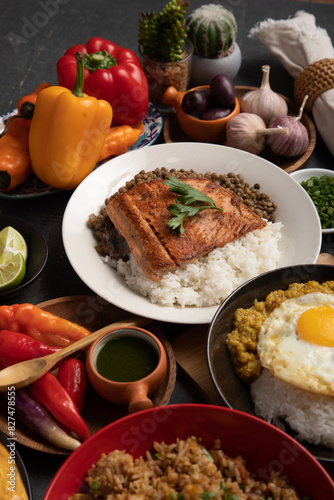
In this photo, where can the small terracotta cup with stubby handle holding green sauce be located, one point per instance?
(133, 393)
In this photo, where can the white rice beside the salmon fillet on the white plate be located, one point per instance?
(210, 279)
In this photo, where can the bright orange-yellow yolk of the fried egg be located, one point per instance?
(316, 325)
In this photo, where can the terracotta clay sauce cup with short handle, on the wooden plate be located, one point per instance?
(132, 393)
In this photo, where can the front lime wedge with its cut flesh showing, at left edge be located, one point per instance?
(12, 270)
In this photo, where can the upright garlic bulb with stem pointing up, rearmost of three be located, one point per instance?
(264, 101)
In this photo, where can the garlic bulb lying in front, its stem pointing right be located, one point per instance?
(248, 132)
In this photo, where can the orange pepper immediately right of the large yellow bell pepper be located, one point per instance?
(120, 139)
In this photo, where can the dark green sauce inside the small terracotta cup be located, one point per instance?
(126, 359)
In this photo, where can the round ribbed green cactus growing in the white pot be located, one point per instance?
(212, 30)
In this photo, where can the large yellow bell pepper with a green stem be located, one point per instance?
(67, 133)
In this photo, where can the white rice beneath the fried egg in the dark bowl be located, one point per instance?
(310, 415)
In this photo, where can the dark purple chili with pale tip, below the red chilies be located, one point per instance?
(38, 420)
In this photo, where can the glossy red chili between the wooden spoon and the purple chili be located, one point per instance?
(48, 392)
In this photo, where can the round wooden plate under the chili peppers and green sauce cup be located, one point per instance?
(93, 313)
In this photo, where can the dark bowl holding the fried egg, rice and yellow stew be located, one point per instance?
(234, 393)
